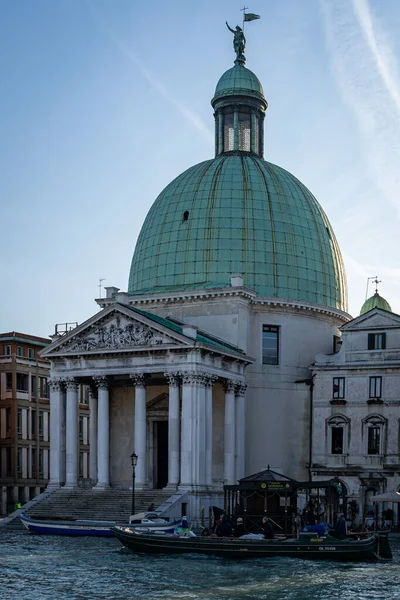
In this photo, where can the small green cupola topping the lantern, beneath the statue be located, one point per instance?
(238, 81)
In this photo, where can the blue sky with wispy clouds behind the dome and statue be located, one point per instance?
(104, 102)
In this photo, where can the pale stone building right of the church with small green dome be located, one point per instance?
(356, 409)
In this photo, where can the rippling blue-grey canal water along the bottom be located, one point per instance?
(57, 568)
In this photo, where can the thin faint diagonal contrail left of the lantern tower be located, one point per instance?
(190, 116)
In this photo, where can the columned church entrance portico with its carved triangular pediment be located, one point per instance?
(139, 366)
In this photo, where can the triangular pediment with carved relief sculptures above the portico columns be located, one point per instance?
(116, 328)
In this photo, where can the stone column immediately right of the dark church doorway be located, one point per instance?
(173, 429)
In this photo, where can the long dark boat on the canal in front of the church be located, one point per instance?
(306, 546)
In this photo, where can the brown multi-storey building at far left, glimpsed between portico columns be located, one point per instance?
(25, 419)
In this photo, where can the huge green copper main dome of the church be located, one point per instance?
(240, 214)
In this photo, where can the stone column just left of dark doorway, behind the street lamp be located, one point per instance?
(139, 381)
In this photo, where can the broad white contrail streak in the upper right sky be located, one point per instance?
(366, 73)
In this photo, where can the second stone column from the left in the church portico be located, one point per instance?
(71, 447)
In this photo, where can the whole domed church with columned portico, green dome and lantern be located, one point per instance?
(202, 366)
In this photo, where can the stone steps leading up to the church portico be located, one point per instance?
(103, 505)
